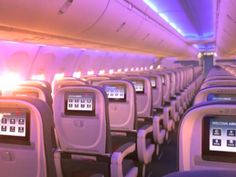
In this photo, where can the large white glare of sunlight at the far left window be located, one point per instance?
(9, 81)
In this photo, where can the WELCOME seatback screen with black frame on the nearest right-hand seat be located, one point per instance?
(219, 139)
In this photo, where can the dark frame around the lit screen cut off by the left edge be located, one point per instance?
(8, 139)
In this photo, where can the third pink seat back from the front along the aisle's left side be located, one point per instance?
(143, 89)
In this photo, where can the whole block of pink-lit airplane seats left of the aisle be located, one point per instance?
(111, 125)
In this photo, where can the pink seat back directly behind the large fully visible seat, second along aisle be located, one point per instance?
(122, 104)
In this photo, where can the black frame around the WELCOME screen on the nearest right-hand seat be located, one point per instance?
(209, 155)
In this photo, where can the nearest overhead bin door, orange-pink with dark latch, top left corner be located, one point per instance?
(53, 17)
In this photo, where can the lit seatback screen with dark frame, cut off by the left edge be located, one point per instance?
(14, 126)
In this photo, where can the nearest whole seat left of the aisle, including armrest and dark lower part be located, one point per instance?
(83, 132)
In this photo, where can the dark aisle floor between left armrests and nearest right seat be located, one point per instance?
(166, 162)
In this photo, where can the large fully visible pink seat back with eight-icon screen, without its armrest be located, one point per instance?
(81, 119)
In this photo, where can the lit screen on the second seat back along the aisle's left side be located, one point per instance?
(116, 92)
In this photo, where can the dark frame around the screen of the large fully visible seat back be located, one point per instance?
(81, 112)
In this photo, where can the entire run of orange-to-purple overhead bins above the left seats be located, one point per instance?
(109, 24)
